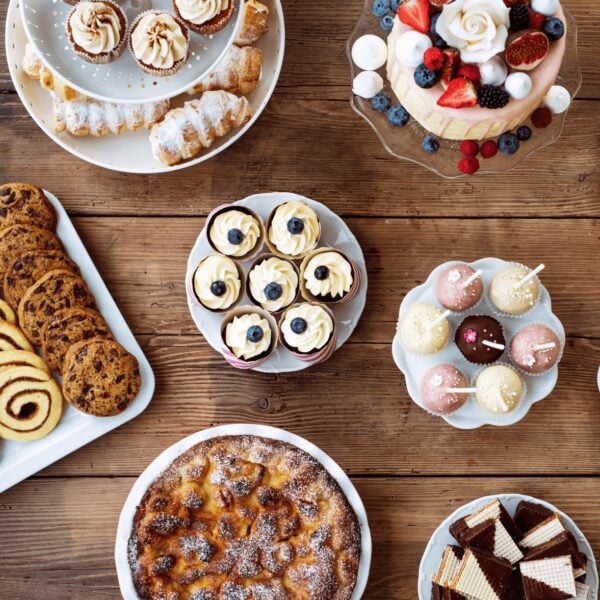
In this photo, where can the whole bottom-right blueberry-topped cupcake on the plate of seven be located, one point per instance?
(308, 331)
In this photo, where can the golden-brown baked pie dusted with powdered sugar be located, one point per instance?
(244, 518)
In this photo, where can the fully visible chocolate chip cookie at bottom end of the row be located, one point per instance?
(100, 377)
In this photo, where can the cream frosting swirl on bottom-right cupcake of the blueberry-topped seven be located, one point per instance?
(319, 327)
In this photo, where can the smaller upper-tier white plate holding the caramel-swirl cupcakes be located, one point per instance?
(121, 80)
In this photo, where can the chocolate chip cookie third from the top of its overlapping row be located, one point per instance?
(27, 268)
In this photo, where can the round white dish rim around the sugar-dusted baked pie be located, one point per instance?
(158, 465)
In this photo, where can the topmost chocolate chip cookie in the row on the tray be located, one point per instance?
(25, 204)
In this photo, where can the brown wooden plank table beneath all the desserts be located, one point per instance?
(57, 529)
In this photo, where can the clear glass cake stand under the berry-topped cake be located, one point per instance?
(405, 142)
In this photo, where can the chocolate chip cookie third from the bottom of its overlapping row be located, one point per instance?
(56, 290)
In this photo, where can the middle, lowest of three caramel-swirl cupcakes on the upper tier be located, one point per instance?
(159, 43)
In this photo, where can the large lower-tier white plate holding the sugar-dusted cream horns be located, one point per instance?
(131, 152)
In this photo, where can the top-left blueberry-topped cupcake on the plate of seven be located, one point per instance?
(235, 231)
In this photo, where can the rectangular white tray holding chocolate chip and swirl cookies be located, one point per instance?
(19, 460)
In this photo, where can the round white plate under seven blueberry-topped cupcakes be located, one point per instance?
(334, 233)
